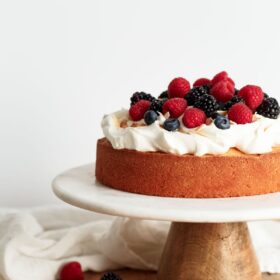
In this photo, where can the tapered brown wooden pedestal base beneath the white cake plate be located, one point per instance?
(206, 251)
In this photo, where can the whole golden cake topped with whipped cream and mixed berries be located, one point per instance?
(206, 141)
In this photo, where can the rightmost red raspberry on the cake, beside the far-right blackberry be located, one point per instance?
(252, 95)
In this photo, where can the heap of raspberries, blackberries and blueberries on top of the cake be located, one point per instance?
(209, 100)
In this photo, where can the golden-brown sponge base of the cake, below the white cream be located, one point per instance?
(232, 174)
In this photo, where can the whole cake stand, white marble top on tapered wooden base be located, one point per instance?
(208, 238)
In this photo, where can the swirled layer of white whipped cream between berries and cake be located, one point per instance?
(258, 137)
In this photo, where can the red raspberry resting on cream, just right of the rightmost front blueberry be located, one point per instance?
(240, 113)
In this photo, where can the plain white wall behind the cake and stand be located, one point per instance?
(63, 64)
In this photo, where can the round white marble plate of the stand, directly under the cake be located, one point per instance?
(78, 187)
